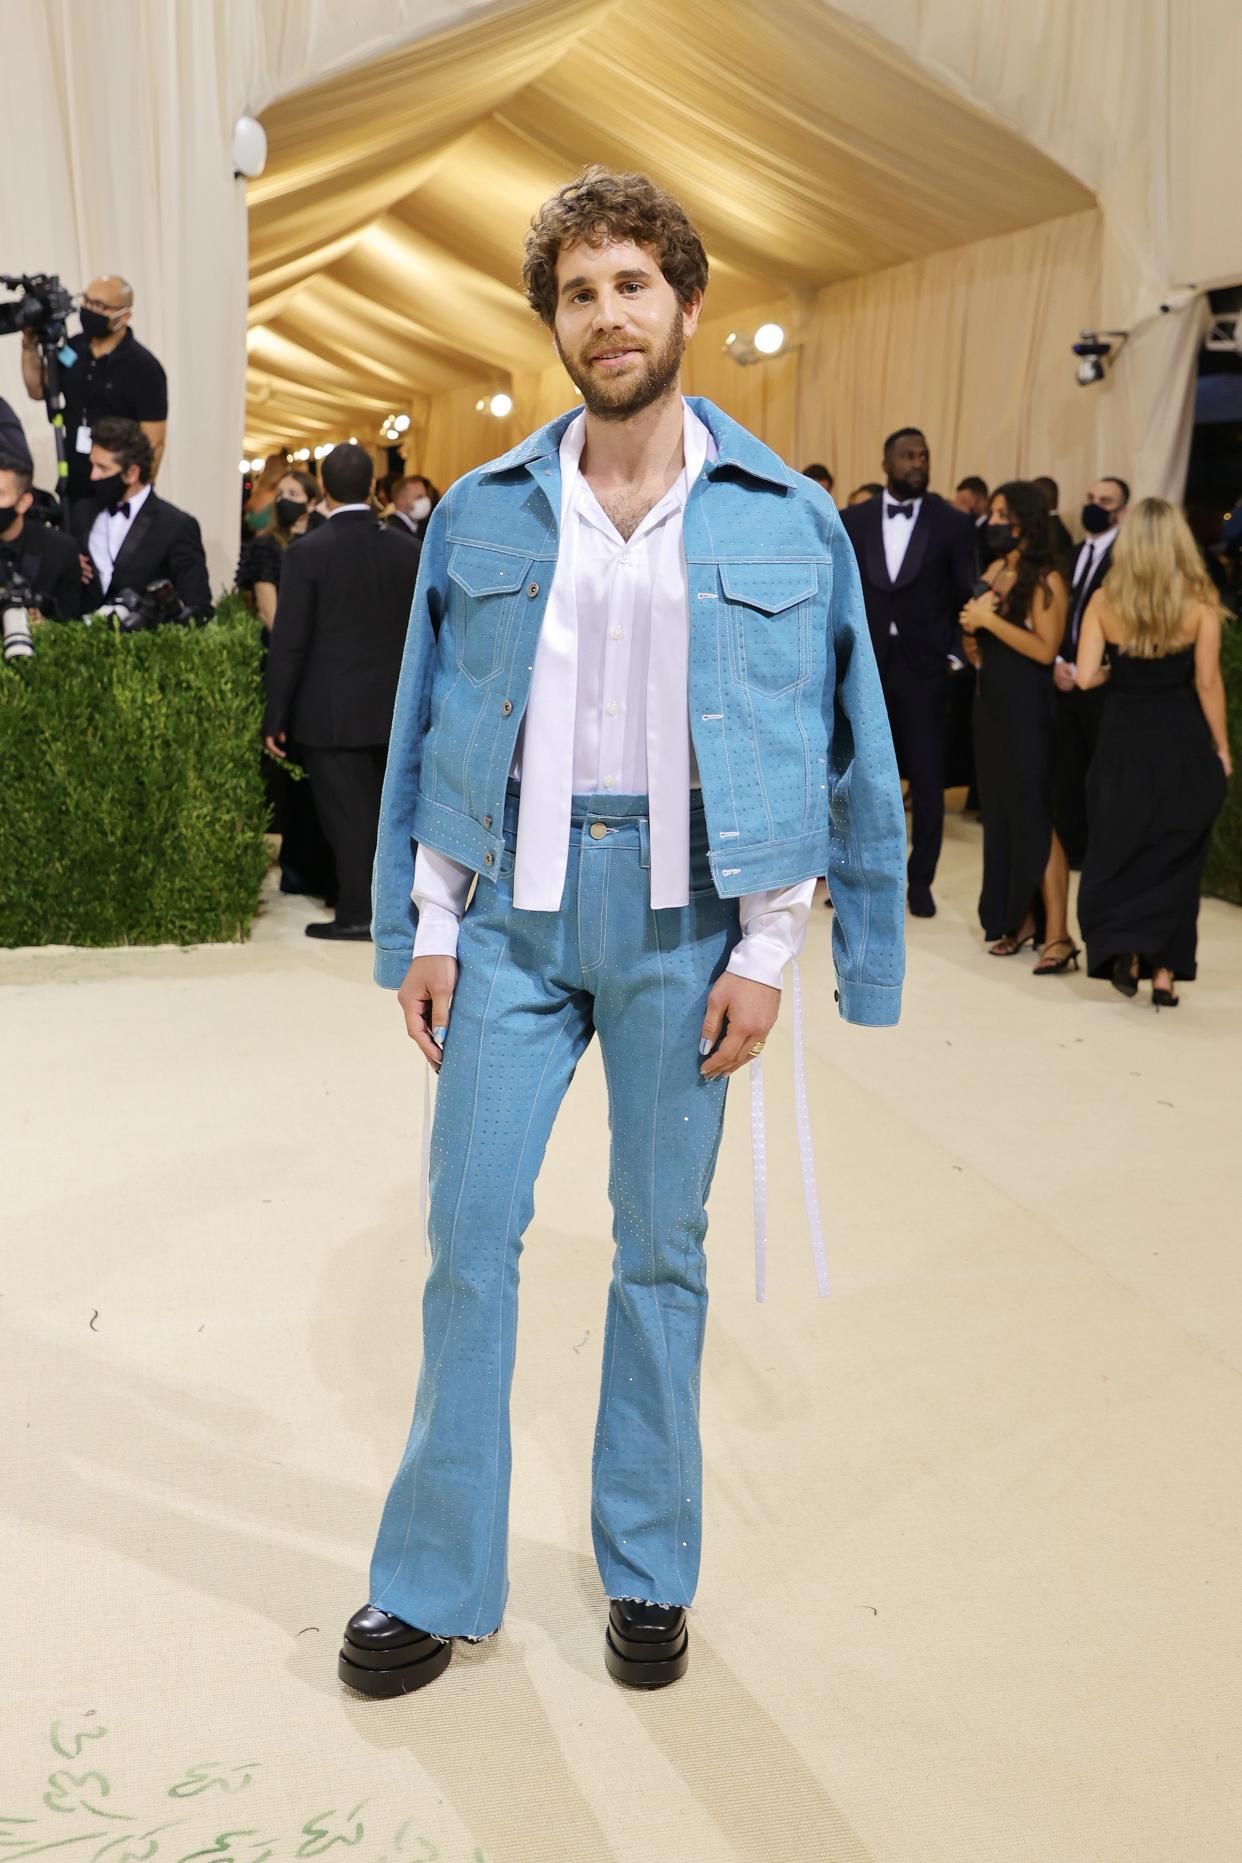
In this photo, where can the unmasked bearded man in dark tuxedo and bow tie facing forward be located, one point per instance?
(917, 564)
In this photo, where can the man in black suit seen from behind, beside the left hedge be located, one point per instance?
(332, 672)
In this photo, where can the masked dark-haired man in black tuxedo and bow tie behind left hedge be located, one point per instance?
(129, 537)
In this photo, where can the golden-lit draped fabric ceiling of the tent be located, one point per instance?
(386, 234)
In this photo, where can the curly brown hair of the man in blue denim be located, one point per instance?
(601, 208)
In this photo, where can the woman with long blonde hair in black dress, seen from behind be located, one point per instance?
(1161, 765)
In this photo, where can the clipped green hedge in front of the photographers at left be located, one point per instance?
(131, 798)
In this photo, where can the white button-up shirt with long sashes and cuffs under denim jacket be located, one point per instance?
(610, 714)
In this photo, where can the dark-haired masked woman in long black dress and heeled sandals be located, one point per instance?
(1012, 634)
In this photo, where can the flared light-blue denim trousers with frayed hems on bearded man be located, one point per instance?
(532, 992)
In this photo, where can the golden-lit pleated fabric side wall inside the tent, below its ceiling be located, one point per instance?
(973, 346)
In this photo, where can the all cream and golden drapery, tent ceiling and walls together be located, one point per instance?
(936, 193)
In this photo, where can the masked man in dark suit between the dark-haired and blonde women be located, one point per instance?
(1077, 716)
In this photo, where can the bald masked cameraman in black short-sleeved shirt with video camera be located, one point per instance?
(113, 375)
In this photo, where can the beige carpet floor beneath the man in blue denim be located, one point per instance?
(971, 1555)
